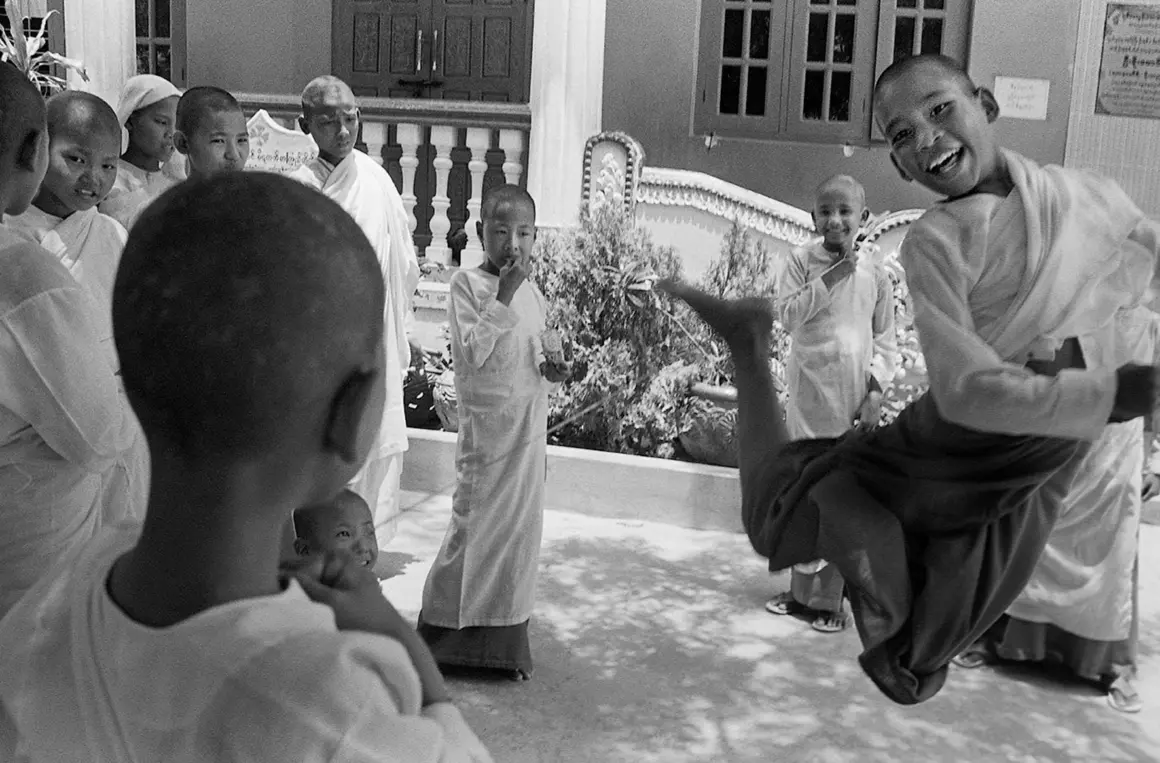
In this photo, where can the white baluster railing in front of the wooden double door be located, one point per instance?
(441, 154)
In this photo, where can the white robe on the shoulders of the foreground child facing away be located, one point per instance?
(267, 679)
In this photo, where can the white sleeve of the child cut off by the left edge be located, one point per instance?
(56, 377)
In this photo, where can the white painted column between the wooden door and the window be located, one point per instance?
(568, 89)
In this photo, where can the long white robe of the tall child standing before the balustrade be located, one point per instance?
(368, 194)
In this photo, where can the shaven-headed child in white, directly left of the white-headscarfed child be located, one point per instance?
(84, 144)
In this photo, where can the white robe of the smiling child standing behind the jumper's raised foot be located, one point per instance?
(839, 339)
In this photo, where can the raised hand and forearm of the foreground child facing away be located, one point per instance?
(353, 592)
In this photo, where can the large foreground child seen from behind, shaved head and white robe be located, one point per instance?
(180, 640)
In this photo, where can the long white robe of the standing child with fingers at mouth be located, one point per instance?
(485, 572)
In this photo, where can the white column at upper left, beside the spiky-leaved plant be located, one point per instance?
(103, 35)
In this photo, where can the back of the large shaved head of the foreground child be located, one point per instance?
(241, 302)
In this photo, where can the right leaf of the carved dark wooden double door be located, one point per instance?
(481, 50)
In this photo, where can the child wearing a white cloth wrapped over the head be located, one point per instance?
(148, 112)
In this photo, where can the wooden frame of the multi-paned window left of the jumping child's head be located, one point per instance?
(784, 121)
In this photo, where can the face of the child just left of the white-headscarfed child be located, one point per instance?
(83, 168)
